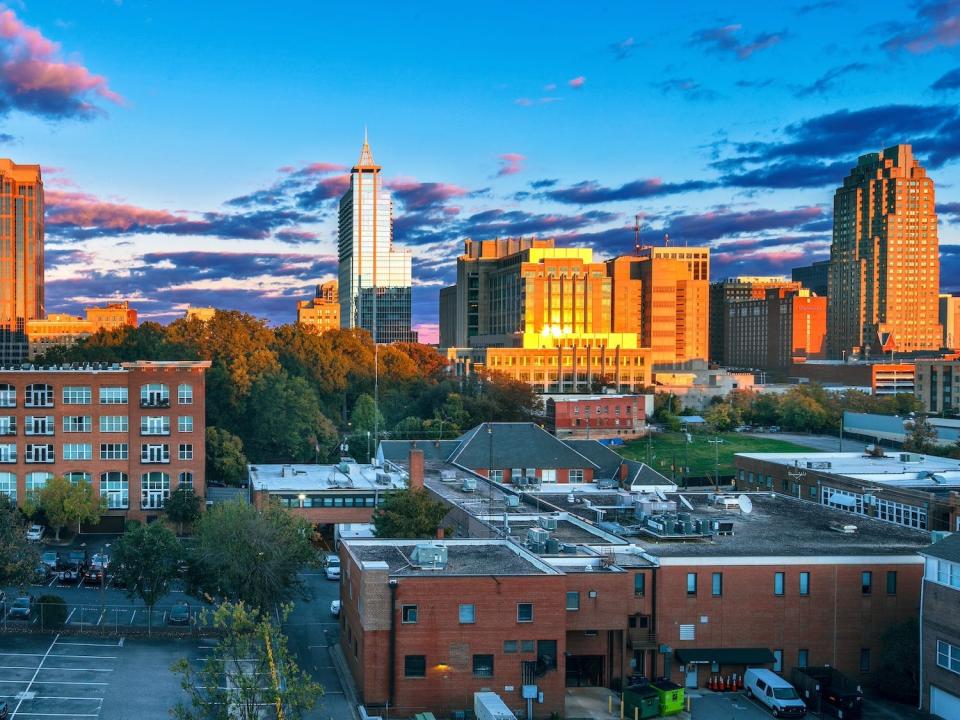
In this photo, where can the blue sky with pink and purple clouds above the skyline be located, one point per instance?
(193, 153)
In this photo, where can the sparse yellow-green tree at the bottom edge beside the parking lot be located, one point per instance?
(250, 668)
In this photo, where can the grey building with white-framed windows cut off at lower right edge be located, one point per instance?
(939, 630)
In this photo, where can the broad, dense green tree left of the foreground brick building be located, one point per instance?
(248, 554)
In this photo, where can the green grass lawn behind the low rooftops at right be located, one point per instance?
(665, 449)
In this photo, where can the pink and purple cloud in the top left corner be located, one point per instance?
(34, 80)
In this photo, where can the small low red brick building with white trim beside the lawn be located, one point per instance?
(598, 416)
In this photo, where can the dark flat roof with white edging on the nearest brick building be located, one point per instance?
(464, 557)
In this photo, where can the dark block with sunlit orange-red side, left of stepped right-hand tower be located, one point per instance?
(771, 333)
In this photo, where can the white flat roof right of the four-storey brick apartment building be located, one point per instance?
(323, 478)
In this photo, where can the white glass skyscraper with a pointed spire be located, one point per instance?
(375, 277)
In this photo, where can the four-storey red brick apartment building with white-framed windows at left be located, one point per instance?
(132, 430)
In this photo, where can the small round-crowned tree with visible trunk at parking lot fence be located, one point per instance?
(145, 562)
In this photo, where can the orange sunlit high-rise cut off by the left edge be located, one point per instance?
(21, 256)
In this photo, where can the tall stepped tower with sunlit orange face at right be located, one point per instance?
(884, 261)
